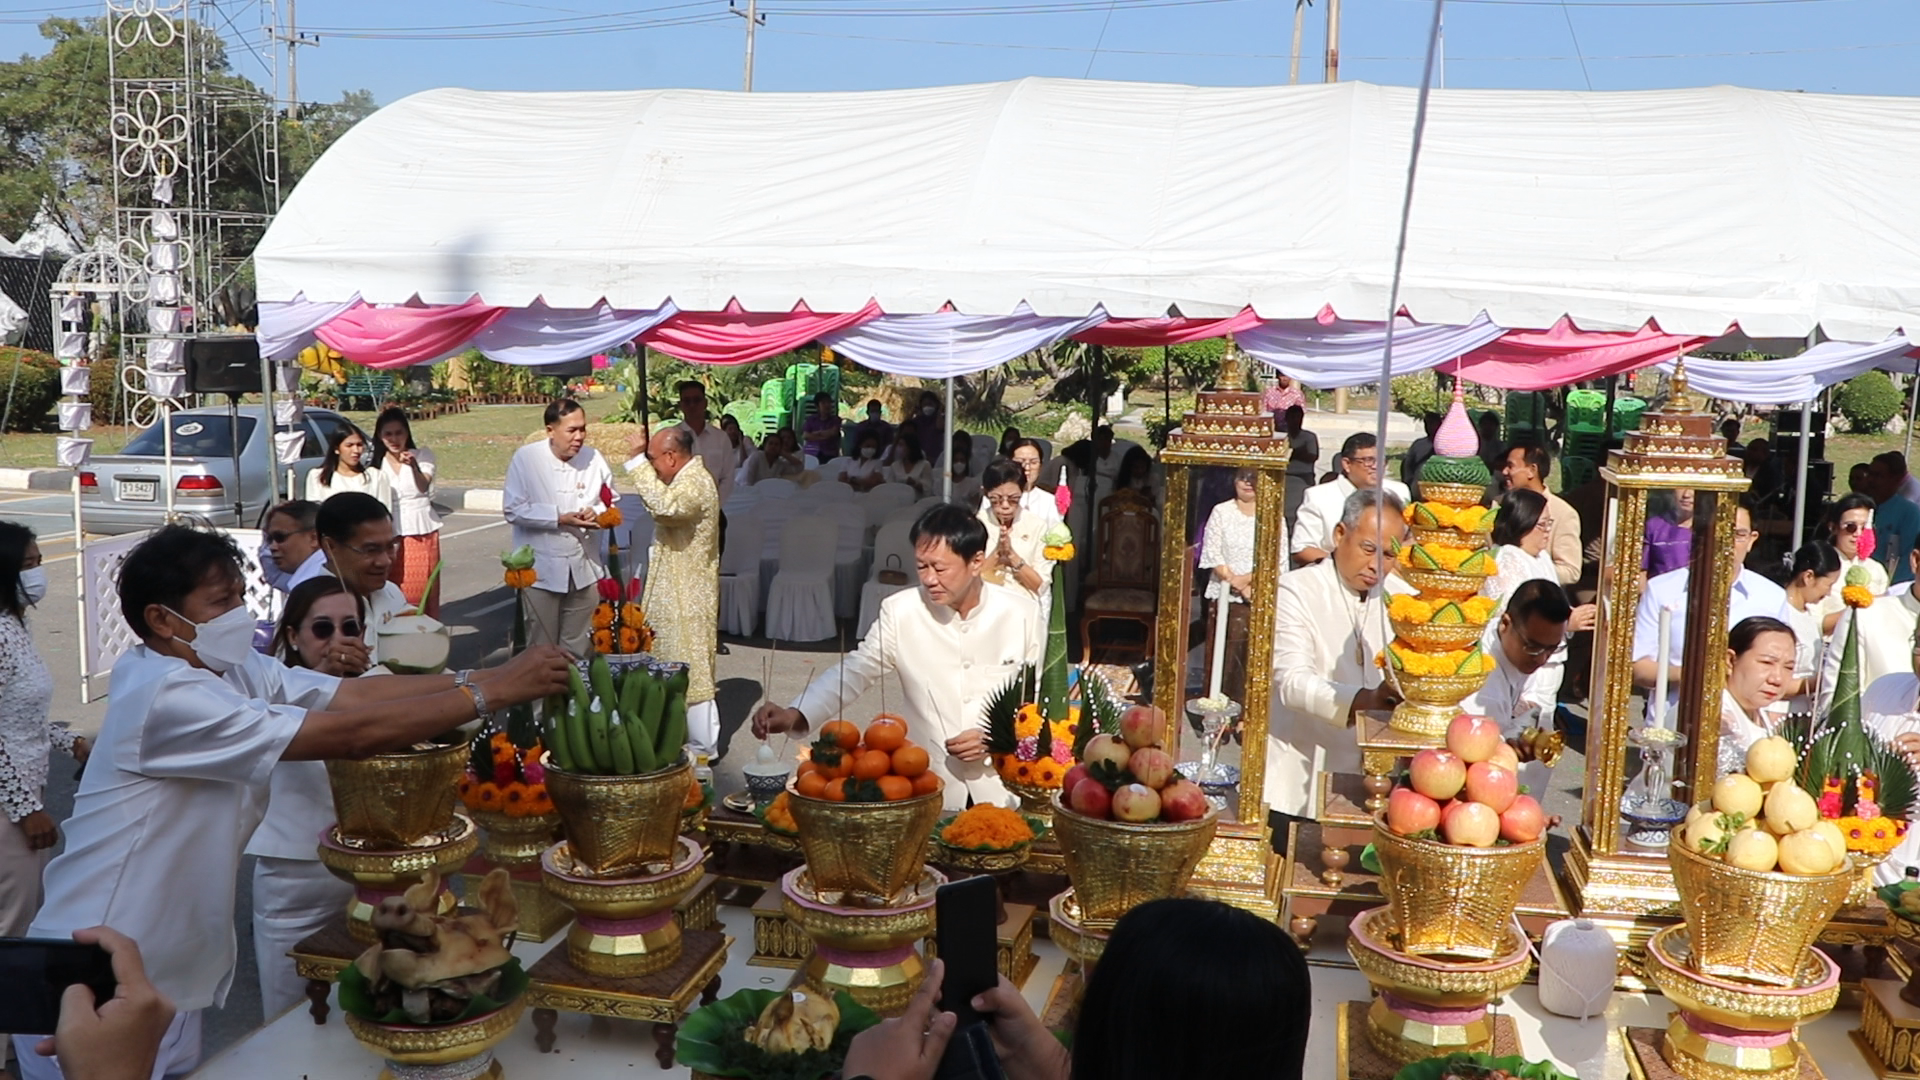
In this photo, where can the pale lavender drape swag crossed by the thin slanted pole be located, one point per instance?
(1347, 353)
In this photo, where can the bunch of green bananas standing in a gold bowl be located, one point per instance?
(619, 725)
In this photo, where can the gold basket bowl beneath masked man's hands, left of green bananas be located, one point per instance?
(398, 798)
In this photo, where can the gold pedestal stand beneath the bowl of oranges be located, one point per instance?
(869, 952)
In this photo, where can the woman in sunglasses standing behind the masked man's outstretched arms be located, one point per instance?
(293, 893)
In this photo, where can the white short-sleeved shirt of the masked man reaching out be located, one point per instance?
(172, 795)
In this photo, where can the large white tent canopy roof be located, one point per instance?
(1692, 209)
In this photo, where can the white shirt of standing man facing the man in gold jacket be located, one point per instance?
(539, 491)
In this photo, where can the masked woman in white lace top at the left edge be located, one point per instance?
(26, 735)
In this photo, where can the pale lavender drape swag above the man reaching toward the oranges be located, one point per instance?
(948, 343)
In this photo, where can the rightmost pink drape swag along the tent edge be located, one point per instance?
(1562, 356)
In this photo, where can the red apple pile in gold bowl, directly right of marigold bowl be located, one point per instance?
(1130, 777)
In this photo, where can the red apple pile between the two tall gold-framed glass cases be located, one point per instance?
(1468, 795)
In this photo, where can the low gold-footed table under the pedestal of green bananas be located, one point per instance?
(660, 998)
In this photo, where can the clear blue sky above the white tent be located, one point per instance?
(1865, 47)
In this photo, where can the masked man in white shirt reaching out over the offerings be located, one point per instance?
(193, 731)
